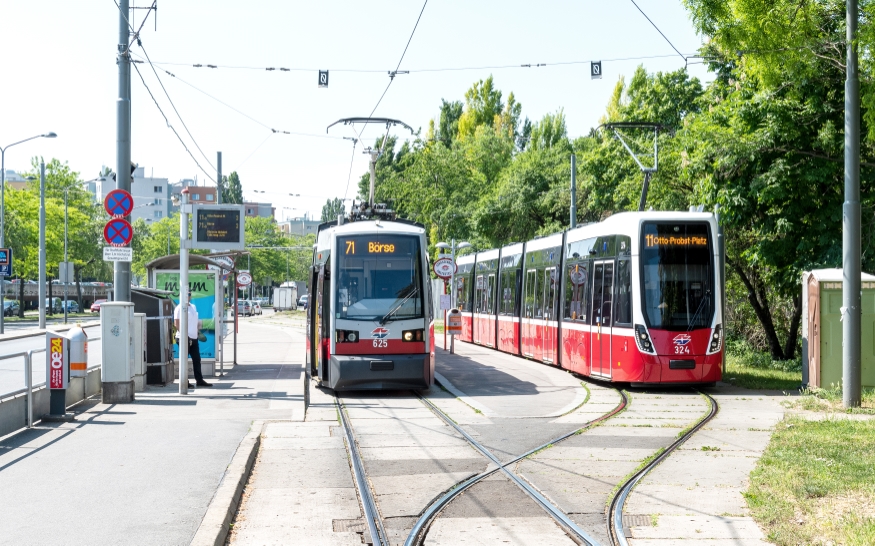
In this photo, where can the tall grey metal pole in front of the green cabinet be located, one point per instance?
(851, 247)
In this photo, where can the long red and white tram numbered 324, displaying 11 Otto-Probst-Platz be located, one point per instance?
(634, 299)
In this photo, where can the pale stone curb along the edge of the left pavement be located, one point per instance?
(214, 527)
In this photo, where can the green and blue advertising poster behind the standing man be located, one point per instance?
(203, 297)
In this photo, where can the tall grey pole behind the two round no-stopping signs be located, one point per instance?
(122, 270)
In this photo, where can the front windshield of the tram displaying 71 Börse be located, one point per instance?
(379, 277)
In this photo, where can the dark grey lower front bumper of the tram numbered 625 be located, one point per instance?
(380, 372)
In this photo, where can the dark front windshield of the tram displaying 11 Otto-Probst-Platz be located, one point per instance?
(678, 275)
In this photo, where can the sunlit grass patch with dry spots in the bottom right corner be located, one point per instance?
(815, 483)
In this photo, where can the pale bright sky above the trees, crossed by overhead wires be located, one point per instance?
(59, 74)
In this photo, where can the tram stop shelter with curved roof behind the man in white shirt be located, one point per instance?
(208, 297)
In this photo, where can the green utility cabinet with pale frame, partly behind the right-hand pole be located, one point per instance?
(822, 328)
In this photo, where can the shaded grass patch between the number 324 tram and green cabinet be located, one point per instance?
(751, 369)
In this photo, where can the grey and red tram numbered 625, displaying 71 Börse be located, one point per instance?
(369, 318)
